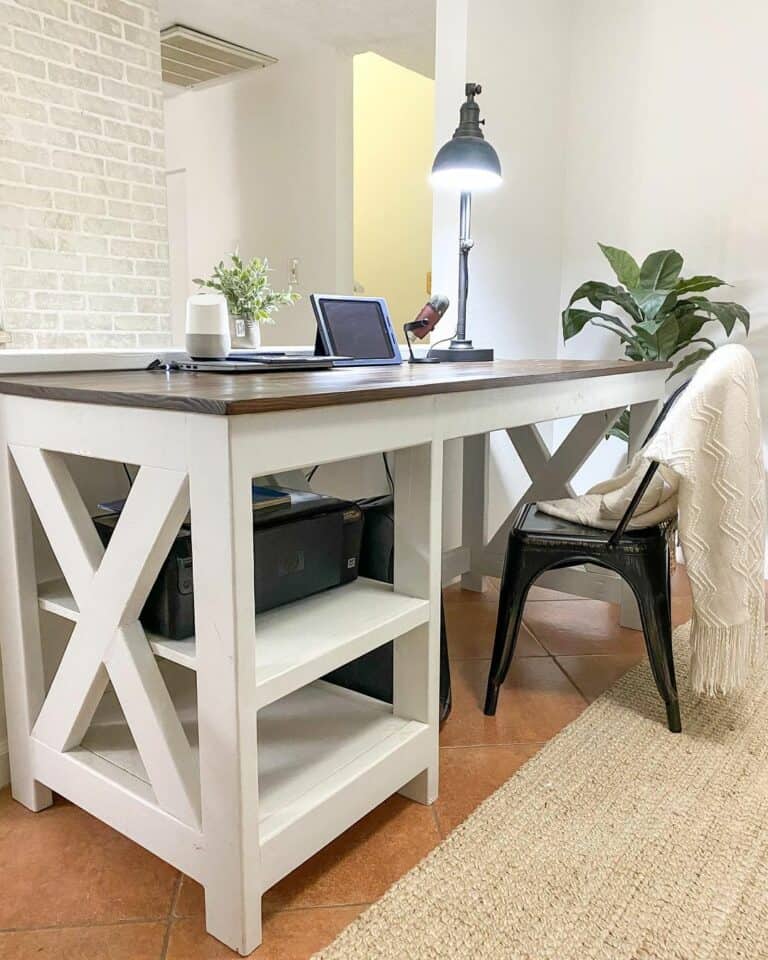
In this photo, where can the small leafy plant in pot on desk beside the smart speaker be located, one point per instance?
(250, 298)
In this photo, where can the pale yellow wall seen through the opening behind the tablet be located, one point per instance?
(393, 152)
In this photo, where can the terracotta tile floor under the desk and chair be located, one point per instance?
(72, 889)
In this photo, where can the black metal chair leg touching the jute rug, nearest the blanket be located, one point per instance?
(653, 598)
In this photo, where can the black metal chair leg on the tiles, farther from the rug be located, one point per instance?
(515, 584)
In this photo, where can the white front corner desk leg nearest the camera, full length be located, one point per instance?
(222, 544)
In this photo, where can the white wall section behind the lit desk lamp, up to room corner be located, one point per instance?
(518, 51)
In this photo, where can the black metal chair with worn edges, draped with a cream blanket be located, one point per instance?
(539, 542)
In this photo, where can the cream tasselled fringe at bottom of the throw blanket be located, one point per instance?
(722, 657)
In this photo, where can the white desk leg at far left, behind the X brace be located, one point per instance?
(20, 639)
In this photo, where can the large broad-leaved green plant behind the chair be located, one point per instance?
(662, 313)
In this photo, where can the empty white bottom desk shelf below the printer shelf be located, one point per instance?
(313, 745)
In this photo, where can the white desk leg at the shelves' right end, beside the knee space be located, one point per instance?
(418, 567)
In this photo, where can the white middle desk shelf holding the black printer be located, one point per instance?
(299, 642)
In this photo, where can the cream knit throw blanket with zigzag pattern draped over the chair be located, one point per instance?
(711, 475)
